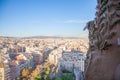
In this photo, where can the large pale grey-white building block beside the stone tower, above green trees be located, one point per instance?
(71, 60)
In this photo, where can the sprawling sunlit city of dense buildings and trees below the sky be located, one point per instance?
(34, 59)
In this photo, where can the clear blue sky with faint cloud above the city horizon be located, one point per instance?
(20, 18)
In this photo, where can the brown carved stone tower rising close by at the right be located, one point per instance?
(103, 58)
